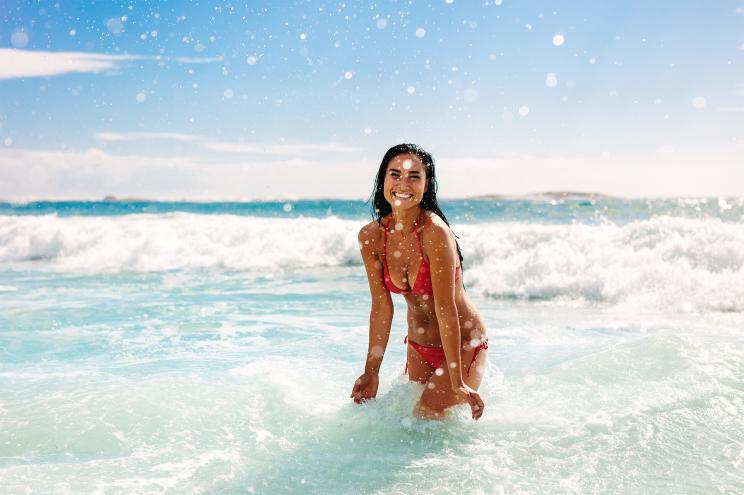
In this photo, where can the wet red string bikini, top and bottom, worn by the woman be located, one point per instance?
(434, 356)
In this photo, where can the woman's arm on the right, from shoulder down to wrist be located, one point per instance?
(442, 253)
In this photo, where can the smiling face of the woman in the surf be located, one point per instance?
(405, 181)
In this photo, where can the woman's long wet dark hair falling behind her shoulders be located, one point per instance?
(380, 205)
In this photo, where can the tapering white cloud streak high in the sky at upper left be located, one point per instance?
(30, 63)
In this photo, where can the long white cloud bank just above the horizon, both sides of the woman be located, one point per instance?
(27, 174)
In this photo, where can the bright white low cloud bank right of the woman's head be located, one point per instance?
(629, 176)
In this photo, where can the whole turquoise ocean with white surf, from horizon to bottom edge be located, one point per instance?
(150, 347)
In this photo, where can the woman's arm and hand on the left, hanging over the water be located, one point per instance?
(380, 316)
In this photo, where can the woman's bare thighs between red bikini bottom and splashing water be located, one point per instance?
(438, 394)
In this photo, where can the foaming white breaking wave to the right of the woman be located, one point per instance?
(665, 262)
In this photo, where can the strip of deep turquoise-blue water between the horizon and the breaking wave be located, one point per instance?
(462, 211)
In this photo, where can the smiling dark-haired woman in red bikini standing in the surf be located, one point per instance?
(410, 249)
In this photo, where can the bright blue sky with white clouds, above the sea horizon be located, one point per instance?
(214, 100)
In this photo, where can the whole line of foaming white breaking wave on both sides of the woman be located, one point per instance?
(666, 262)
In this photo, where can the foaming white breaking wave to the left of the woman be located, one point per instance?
(175, 241)
